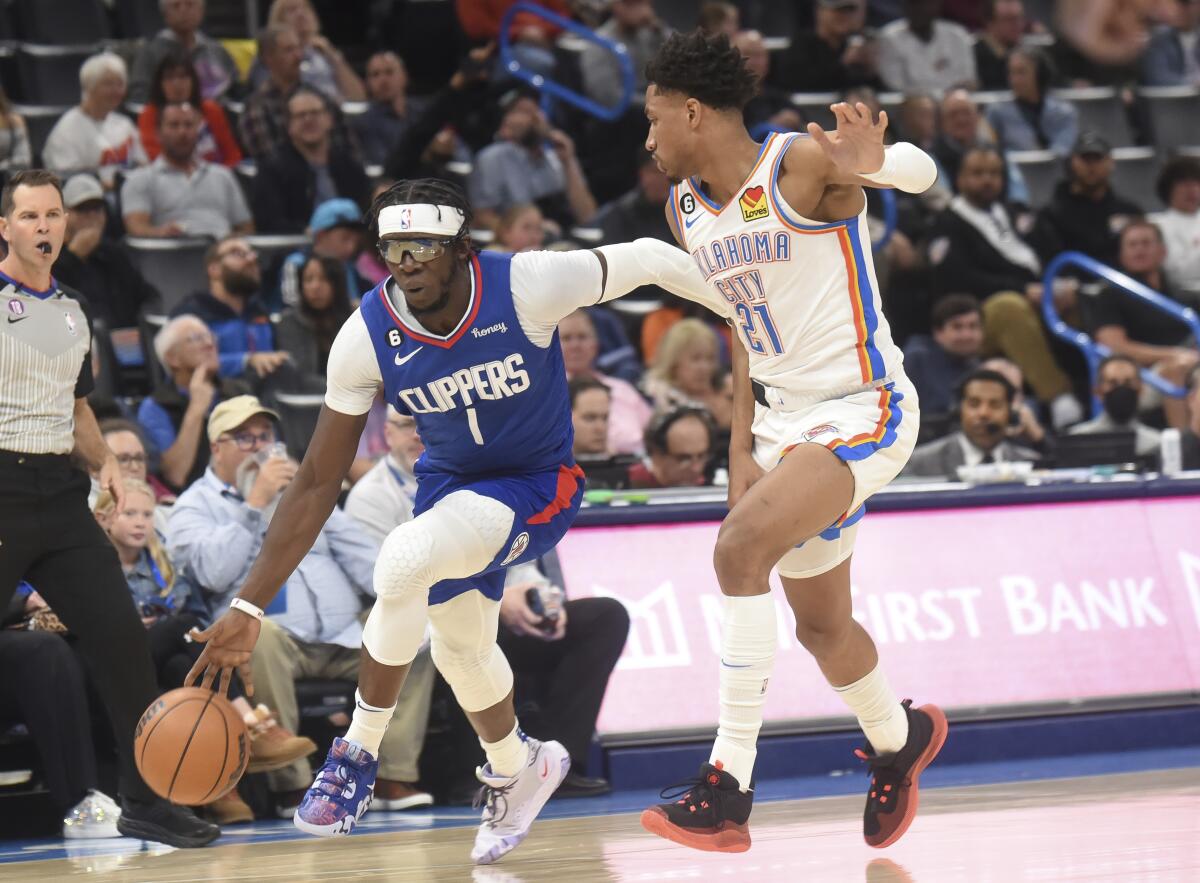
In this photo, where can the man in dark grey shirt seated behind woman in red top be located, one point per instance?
(214, 65)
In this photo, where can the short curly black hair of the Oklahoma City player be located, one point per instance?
(709, 69)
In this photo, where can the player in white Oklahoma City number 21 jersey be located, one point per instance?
(824, 416)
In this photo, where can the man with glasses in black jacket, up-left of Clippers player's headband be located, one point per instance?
(305, 171)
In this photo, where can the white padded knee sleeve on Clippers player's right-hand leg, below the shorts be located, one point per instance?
(464, 650)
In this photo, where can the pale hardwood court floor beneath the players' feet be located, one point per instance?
(1125, 827)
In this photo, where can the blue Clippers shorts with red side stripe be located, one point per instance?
(545, 506)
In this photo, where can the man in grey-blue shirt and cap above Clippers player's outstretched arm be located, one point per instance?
(530, 163)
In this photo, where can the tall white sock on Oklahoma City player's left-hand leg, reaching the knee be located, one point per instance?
(748, 653)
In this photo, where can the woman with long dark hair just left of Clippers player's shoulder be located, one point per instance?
(307, 332)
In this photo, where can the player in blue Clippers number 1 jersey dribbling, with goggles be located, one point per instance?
(469, 346)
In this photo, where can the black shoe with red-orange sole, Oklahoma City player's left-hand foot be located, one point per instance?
(711, 813)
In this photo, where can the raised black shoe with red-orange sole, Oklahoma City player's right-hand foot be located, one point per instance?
(892, 800)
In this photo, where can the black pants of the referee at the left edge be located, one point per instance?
(51, 539)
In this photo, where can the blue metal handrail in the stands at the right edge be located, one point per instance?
(1093, 351)
